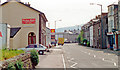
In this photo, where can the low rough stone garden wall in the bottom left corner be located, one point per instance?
(25, 58)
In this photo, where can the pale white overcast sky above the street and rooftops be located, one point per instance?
(70, 12)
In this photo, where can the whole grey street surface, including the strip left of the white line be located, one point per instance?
(76, 56)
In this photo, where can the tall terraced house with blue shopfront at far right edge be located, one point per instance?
(112, 26)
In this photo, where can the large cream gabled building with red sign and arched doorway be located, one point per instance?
(27, 24)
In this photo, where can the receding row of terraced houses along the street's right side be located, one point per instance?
(103, 31)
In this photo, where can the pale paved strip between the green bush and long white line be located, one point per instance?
(52, 59)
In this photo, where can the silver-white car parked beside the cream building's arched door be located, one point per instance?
(38, 47)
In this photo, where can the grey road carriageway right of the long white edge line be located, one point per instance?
(85, 57)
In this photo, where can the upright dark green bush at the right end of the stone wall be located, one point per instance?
(34, 58)
